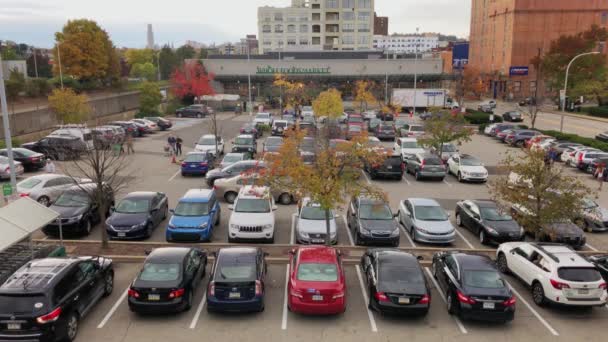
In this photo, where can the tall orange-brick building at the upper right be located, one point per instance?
(507, 34)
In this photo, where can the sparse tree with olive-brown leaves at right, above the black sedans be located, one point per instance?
(543, 195)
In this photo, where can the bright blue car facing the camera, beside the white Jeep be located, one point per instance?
(194, 217)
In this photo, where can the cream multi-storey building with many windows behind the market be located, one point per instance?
(317, 25)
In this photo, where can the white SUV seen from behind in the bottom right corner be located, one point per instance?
(554, 272)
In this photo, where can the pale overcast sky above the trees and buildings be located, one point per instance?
(207, 21)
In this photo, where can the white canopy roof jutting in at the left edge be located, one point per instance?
(21, 218)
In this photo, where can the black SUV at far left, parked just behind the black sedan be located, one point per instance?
(58, 147)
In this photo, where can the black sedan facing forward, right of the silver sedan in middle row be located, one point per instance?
(484, 218)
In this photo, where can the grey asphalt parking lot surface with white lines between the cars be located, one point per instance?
(152, 171)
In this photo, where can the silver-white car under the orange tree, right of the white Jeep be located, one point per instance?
(311, 227)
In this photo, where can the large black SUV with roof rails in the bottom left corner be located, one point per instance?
(46, 298)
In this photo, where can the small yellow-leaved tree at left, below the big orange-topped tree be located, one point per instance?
(69, 106)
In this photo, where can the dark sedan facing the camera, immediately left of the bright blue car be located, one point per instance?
(137, 215)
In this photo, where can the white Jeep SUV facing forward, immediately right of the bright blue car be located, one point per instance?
(252, 215)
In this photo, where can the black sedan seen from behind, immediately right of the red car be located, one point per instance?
(396, 283)
